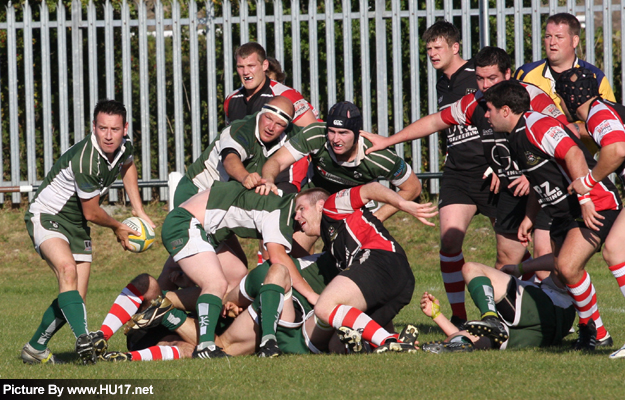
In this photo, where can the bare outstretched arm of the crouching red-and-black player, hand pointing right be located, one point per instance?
(378, 192)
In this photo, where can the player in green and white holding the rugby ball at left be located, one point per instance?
(68, 198)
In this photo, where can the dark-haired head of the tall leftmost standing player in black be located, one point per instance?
(442, 42)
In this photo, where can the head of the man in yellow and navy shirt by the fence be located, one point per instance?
(561, 38)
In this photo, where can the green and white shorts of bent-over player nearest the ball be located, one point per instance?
(183, 235)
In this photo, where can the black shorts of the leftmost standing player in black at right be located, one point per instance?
(468, 189)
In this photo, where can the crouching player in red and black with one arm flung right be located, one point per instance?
(375, 277)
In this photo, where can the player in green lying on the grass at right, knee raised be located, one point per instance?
(515, 313)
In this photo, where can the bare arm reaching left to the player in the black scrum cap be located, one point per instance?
(420, 128)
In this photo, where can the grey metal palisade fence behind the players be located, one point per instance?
(365, 50)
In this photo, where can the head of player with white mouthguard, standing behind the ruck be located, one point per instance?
(252, 63)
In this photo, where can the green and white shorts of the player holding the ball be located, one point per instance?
(42, 227)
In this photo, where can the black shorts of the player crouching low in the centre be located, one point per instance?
(385, 280)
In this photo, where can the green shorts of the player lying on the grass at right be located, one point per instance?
(538, 321)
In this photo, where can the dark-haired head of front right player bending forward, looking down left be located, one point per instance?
(505, 102)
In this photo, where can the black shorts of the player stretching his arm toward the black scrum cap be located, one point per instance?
(511, 212)
